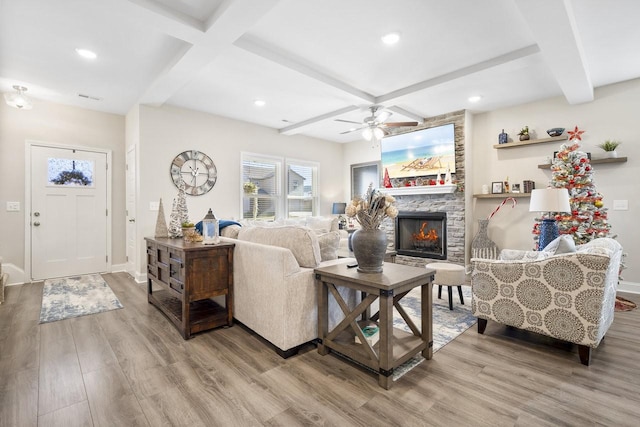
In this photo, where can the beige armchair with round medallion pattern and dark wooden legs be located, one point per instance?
(569, 296)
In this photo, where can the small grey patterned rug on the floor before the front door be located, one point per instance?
(76, 296)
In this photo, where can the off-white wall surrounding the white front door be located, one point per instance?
(59, 124)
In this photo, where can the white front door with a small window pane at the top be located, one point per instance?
(68, 212)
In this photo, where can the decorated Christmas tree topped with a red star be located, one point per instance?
(571, 169)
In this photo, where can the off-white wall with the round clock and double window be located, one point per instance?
(167, 131)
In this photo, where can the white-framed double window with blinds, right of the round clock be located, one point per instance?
(262, 180)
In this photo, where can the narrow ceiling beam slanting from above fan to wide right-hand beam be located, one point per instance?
(462, 72)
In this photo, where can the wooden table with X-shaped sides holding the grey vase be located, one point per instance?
(395, 346)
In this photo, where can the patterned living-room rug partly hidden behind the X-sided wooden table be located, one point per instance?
(447, 324)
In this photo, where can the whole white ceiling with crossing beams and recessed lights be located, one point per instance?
(316, 61)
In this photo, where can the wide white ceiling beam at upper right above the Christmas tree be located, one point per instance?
(554, 28)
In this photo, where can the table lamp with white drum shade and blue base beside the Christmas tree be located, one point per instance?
(549, 200)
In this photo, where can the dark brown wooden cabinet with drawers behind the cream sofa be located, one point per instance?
(182, 279)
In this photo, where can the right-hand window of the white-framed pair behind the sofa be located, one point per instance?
(302, 192)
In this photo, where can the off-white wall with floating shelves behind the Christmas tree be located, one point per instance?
(612, 115)
